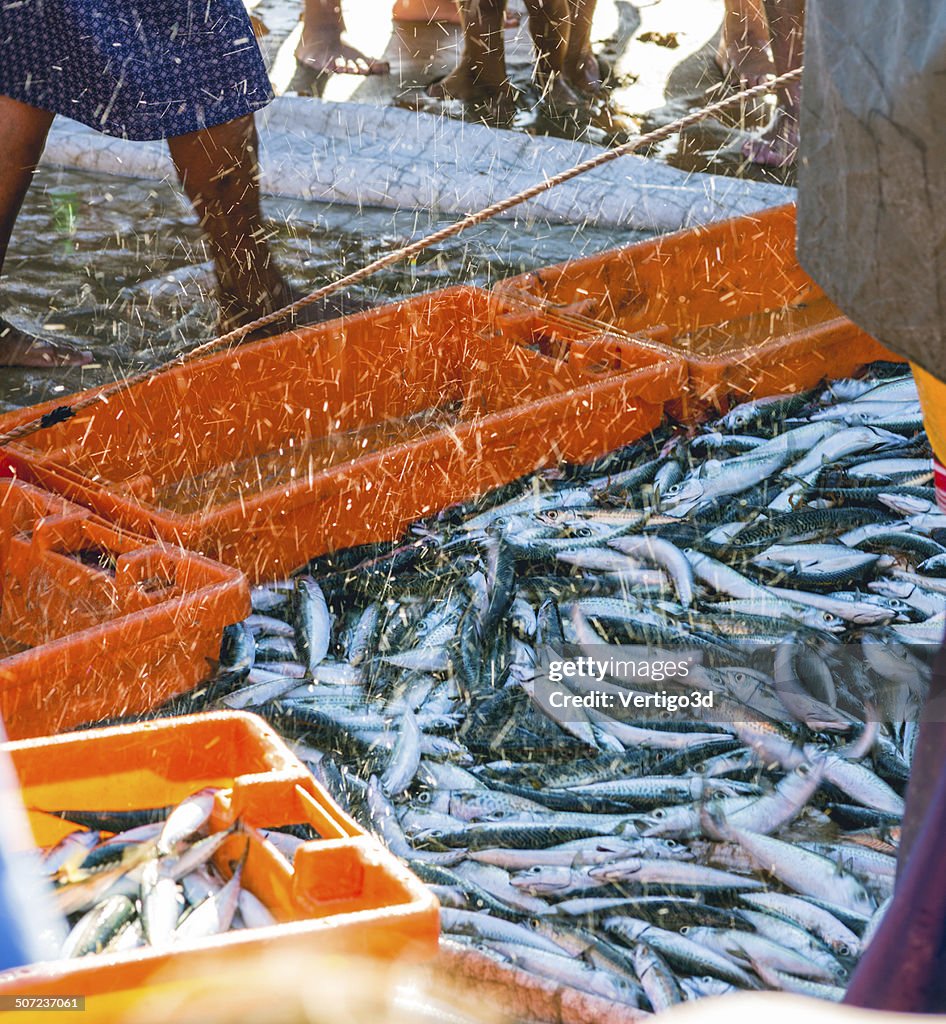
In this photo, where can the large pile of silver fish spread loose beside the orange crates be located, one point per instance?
(656, 861)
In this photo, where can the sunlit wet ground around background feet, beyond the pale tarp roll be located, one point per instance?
(662, 55)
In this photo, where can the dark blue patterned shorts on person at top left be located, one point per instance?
(137, 69)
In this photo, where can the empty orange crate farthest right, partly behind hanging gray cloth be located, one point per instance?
(730, 297)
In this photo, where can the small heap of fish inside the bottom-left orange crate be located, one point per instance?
(132, 879)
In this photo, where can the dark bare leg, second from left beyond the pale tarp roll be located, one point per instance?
(481, 76)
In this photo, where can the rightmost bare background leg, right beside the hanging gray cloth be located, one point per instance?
(779, 145)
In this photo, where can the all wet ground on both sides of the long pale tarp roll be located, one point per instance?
(110, 263)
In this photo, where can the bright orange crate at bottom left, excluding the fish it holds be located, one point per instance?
(343, 893)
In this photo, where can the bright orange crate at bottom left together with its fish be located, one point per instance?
(190, 843)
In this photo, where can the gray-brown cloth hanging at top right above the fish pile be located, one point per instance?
(873, 174)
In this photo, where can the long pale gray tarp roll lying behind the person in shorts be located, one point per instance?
(382, 156)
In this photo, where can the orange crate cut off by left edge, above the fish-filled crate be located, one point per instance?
(95, 623)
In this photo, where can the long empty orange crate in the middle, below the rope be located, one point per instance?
(342, 435)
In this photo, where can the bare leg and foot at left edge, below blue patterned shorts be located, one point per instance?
(23, 136)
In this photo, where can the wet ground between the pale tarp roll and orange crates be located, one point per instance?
(118, 266)
